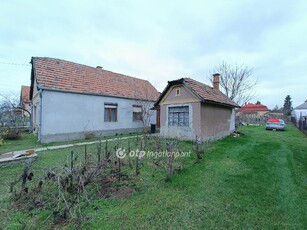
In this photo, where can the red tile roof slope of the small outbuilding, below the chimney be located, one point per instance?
(208, 93)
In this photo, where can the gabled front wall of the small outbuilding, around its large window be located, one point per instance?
(186, 98)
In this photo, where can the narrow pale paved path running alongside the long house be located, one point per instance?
(20, 154)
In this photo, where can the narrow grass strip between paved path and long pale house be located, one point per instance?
(29, 141)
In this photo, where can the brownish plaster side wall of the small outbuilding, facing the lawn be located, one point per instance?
(216, 121)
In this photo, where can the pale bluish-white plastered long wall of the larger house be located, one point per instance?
(69, 116)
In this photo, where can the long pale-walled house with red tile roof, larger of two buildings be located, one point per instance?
(73, 101)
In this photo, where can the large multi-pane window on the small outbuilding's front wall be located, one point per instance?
(178, 116)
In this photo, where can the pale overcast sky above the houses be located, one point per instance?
(161, 40)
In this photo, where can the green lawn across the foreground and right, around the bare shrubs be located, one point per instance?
(256, 181)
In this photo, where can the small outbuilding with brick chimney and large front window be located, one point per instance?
(190, 109)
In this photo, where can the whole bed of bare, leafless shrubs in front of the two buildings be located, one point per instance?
(67, 189)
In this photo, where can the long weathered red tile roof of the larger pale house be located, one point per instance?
(56, 74)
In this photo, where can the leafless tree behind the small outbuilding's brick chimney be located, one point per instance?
(236, 82)
